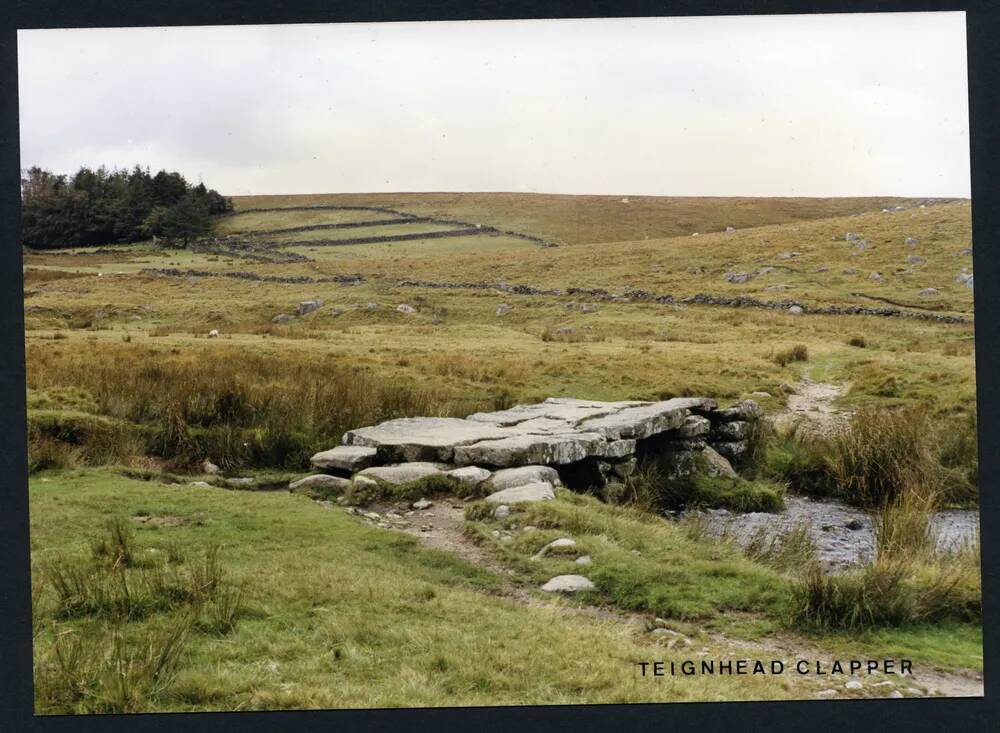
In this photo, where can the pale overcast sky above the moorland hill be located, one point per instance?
(822, 105)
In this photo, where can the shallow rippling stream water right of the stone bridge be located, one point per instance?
(842, 534)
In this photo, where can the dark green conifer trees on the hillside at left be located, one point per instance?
(95, 207)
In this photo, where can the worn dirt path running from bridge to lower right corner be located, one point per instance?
(441, 526)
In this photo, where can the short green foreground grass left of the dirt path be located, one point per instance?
(340, 614)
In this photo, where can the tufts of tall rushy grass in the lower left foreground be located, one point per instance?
(95, 659)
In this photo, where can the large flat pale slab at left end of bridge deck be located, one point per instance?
(422, 438)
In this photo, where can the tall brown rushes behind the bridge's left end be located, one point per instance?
(237, 409)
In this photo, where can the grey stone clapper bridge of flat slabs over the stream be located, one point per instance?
(520, 454)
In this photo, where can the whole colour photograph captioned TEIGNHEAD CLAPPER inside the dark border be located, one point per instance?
(481, 363)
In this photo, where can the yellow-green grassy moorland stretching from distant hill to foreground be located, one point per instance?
(122, 377)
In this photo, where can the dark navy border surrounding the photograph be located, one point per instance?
(970, 714)
